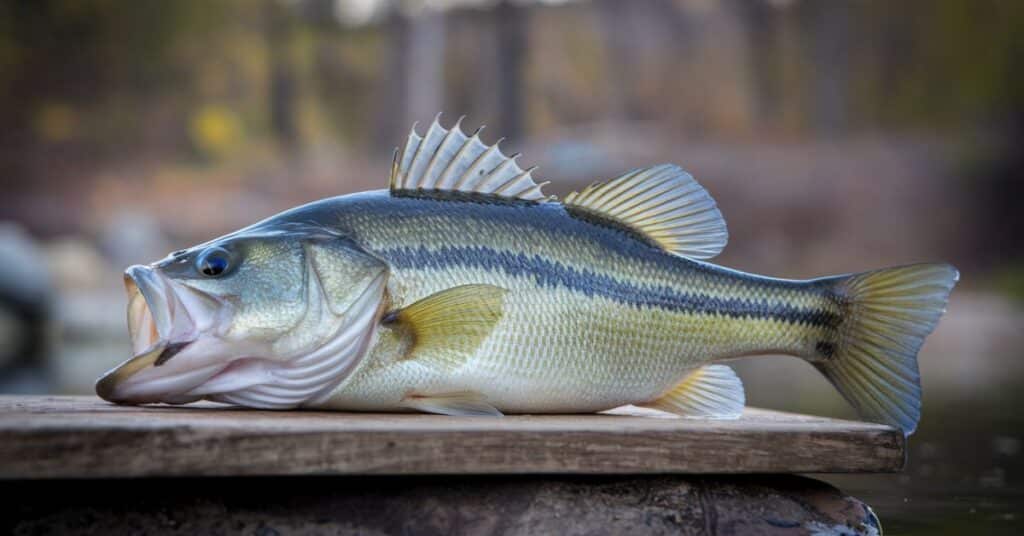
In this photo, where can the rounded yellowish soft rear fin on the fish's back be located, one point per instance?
(662, 203)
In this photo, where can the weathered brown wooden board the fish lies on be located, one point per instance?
(83, 437)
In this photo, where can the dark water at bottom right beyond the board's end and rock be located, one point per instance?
(965, 474)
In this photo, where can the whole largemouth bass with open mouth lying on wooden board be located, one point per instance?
(462, 290)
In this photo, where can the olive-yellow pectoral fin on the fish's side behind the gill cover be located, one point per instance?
(448, 327)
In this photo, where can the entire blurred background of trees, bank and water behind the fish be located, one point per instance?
(836, 137)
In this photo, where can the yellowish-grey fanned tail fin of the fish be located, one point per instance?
(887, 314)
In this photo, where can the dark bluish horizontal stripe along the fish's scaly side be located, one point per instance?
(552, 274)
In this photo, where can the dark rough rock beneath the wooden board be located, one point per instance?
(528, 506)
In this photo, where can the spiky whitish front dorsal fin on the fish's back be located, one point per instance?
(444, 162)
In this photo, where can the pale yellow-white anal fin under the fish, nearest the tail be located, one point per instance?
(713, 392)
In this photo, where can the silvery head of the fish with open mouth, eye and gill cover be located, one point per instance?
(265, 319)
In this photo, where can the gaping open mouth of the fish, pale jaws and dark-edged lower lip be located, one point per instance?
(160, 327)
